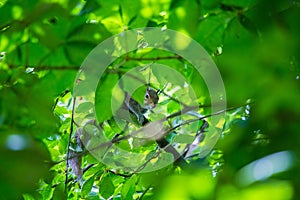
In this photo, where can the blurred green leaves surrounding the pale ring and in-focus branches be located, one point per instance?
(255, 45)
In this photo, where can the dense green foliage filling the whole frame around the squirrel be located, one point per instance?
(255, 45)
